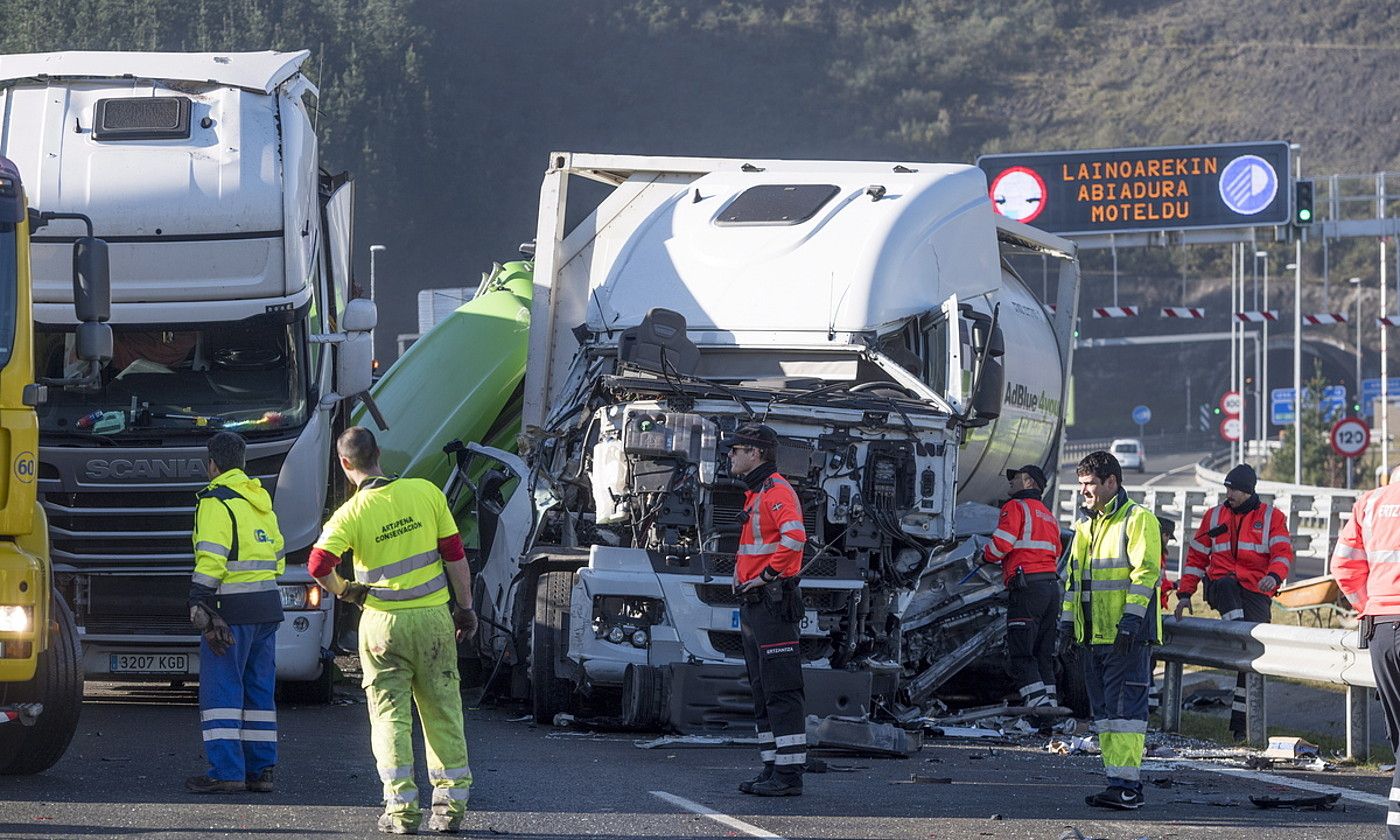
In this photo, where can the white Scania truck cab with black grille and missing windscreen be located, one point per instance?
(230, 253)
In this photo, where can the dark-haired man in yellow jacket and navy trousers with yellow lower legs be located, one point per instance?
(1111, 607)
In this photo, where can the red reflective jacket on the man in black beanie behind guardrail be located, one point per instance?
(1251, 547)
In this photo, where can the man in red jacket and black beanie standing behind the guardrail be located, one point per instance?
(1244, 552)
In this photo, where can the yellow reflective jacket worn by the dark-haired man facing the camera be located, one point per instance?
(1115, 569)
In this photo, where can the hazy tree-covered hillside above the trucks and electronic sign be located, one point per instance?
(446, 110)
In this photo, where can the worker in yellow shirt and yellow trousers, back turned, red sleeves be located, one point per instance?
(407, 549)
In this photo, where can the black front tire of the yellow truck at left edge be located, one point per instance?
(58, 685)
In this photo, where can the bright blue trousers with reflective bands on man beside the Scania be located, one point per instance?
(236, 703)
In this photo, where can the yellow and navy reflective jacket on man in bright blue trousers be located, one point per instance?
(239, 549)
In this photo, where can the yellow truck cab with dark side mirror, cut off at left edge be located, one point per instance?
(41, 663)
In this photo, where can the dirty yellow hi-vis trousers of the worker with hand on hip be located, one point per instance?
(411, 654)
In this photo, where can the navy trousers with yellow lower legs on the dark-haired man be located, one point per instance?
(1118, 698)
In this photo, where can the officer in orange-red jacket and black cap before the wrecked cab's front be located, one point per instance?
(771, 610)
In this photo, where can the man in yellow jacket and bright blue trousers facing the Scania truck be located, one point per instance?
(236, 605)
